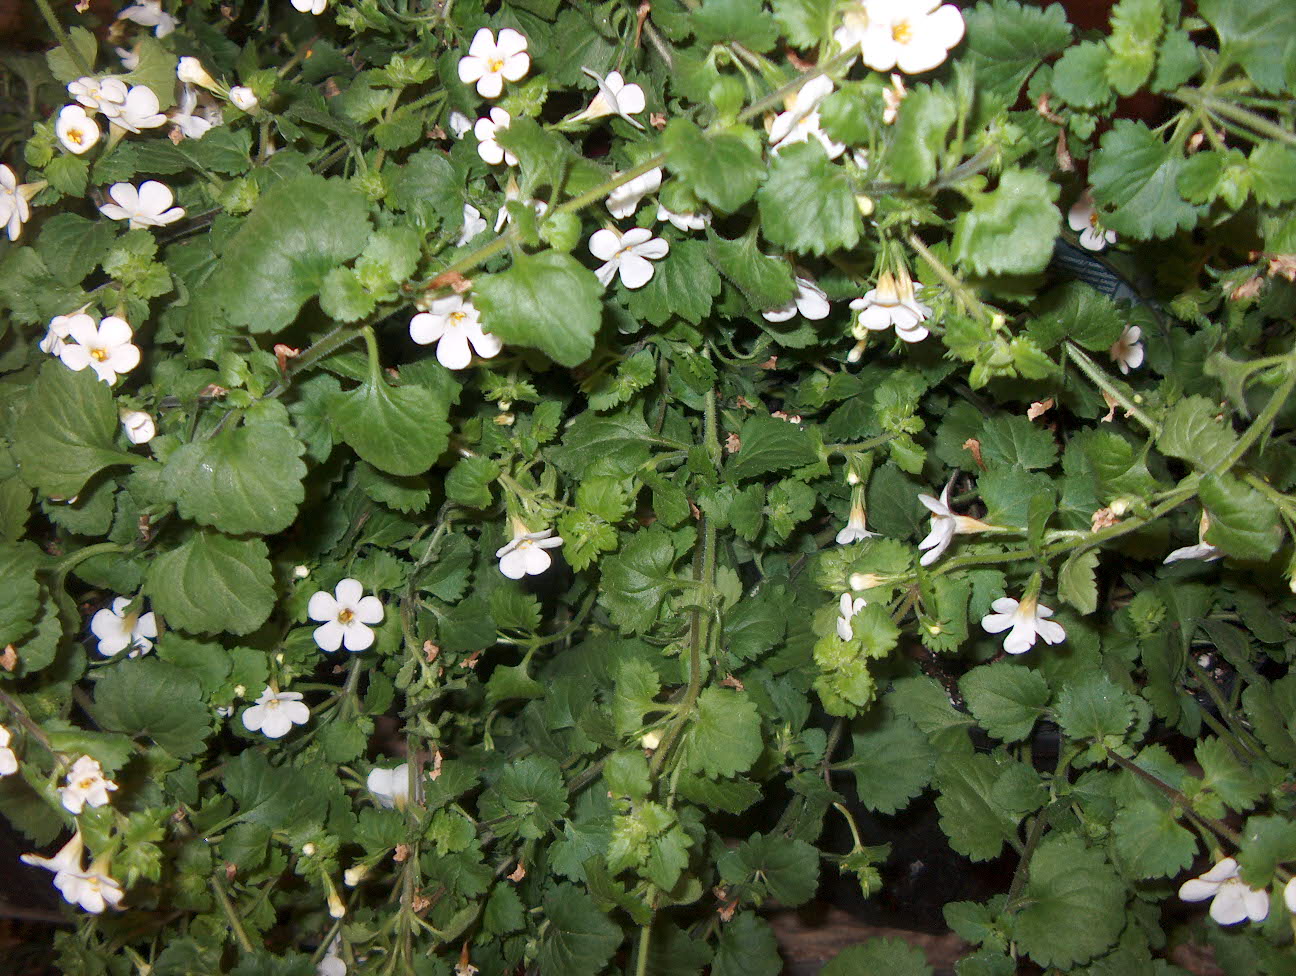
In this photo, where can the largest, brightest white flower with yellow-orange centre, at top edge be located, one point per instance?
(913, 36)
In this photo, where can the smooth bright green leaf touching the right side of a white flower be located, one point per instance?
(545, 301)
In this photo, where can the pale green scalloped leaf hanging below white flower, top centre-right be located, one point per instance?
(808, 204)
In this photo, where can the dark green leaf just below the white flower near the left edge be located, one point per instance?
(154, 699)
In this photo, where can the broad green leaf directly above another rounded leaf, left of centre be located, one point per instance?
(247, 480)
